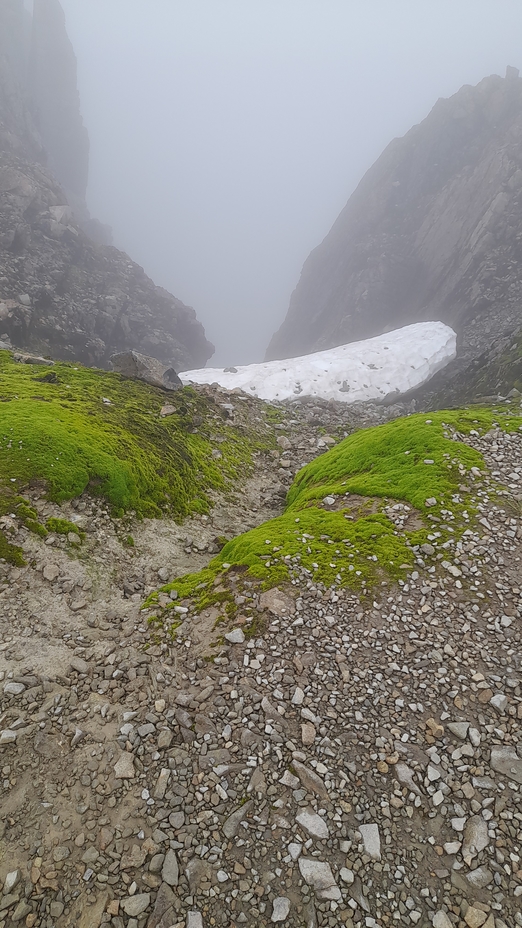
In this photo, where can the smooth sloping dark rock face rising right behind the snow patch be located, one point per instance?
(432, 233)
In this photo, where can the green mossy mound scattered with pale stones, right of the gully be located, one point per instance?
(420, 461)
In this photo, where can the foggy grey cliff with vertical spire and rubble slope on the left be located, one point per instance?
(62, 291)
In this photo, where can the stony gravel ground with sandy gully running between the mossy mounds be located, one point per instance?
(351, 760)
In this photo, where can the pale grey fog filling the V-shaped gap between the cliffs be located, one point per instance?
(227, 136)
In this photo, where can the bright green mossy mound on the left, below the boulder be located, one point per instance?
(76, 429)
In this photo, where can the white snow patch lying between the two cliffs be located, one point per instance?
(369, 370)
